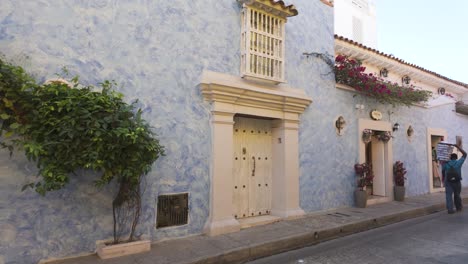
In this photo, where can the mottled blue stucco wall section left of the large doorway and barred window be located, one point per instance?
(156, 51)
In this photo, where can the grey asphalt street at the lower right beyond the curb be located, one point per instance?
(437, 238)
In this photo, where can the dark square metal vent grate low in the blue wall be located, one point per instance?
(172, 210)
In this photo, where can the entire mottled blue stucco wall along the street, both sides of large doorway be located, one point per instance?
(157, 51)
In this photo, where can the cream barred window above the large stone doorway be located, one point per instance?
(262, 47)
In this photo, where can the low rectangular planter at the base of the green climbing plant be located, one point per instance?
(123, 249)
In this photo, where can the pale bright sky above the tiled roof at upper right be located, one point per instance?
(432, 34)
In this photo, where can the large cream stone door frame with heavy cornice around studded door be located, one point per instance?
(230, 95)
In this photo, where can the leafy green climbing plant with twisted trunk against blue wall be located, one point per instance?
(64, 127)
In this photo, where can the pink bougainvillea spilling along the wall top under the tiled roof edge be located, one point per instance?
(351, 73)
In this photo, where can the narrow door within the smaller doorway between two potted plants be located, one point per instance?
(378, 166)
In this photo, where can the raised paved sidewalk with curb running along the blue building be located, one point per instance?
(261, 241)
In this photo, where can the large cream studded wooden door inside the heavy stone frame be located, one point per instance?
(252, 167)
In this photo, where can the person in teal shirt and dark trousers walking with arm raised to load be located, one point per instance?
(452, 180)
